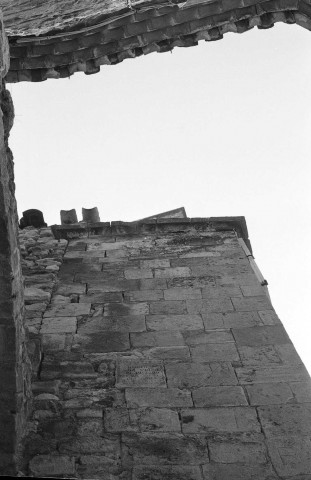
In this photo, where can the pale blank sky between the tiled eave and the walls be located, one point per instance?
(222, 129)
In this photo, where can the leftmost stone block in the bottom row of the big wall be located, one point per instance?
(52, 465)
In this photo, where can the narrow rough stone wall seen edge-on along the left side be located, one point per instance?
(14, 364)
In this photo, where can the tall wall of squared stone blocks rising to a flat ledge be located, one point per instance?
(163, 358)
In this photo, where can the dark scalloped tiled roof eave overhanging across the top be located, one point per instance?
(119, 30)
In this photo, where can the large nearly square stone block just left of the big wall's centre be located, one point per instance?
(137, 373)
